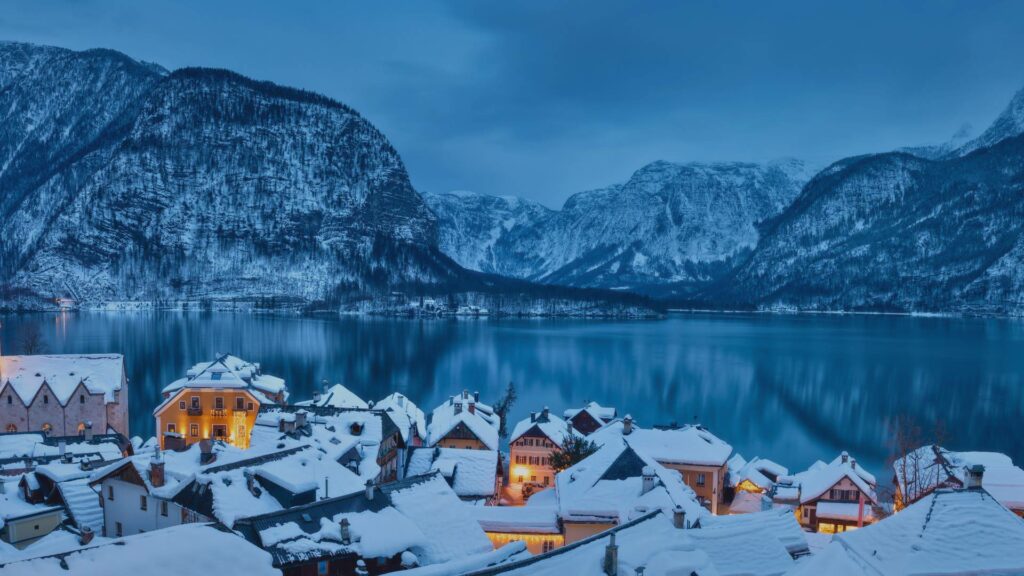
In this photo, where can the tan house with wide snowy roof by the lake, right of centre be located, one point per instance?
(698, 456)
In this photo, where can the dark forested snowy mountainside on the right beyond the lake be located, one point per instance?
(893, 232)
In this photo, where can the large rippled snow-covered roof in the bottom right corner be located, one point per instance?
(949, 532)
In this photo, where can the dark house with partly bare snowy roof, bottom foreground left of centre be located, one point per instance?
(415, 522)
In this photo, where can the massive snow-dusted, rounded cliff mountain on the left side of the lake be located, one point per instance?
(197, 185)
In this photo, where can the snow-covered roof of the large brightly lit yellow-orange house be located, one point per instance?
(231, 373)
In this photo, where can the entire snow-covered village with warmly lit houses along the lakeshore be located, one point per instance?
(243, 479)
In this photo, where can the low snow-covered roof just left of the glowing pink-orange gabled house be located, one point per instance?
(476, 476)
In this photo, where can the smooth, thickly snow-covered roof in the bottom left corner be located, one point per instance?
(190, 549)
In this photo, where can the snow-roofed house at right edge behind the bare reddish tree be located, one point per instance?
(932, 468)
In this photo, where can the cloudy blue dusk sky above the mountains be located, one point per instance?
(546, 99)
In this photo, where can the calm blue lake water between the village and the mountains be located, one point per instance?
(791, 388)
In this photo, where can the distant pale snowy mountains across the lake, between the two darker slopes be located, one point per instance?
(670, 228)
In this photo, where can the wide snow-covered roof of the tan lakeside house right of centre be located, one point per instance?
(687, 445)
